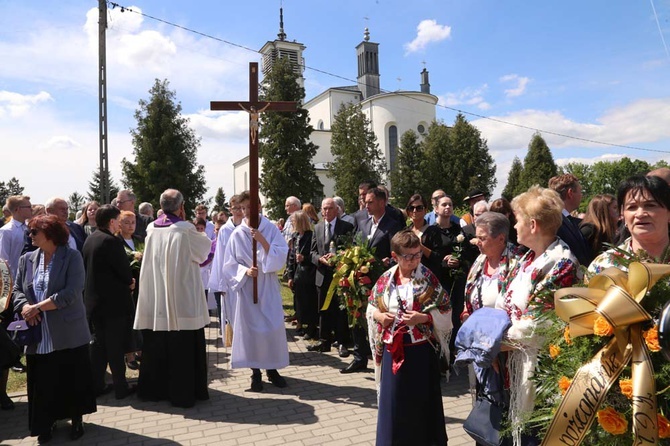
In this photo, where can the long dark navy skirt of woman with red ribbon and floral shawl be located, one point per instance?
(410, 402)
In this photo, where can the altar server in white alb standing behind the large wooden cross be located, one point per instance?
(259, 335)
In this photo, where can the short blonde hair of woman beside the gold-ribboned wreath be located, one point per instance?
(542, 205)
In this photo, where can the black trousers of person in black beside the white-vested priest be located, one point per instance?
(111, 338)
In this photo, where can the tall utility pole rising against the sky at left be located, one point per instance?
(102, 94)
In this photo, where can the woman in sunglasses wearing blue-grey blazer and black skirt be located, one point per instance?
(48, 293)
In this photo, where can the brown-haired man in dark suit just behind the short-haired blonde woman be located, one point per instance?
(568, 187)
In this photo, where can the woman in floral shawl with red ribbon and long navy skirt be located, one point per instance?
(408, 317)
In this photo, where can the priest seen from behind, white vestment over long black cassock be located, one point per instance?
(172, 308)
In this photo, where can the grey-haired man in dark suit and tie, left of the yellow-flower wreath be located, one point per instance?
(330, 229)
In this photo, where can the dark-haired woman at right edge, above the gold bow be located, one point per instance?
(645, 206)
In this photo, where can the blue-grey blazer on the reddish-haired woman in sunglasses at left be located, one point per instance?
(67, 324)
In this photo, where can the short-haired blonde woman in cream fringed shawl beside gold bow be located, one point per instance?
(547, 266)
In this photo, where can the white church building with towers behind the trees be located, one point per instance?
(390, 113)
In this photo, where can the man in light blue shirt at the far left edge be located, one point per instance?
(12, 234)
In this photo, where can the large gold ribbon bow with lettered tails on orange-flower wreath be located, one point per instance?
(616, 296)
